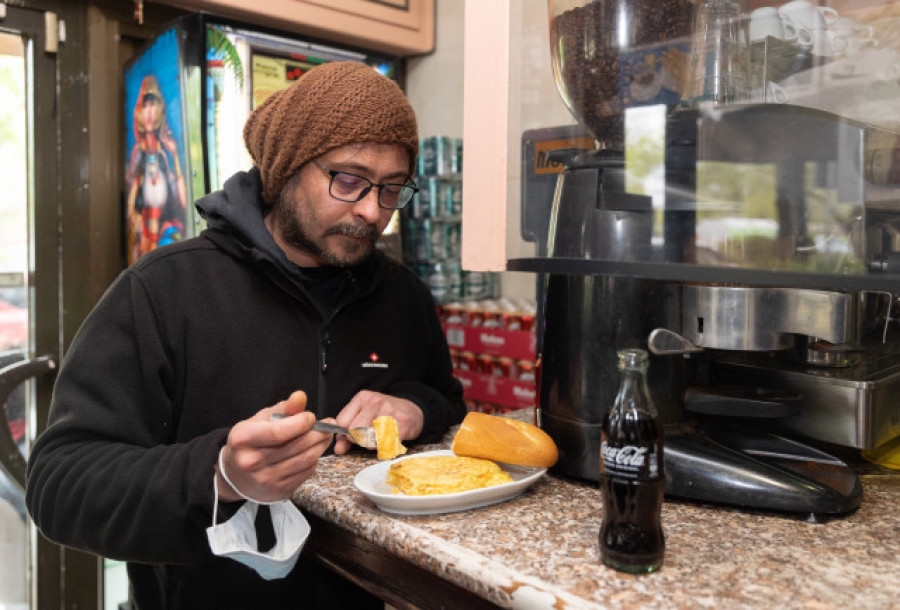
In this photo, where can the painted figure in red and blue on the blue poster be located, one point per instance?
(157, 195)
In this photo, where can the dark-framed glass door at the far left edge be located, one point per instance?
(35, 573)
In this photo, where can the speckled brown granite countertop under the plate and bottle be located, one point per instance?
(540, 550)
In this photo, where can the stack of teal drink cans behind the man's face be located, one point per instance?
(431, 226)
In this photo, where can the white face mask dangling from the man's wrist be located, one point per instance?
(236, 538)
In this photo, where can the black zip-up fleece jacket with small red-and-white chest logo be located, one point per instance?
(186, 342)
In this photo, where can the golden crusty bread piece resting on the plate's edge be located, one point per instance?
(504, 440)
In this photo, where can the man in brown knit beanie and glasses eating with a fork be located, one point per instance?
(171, 382)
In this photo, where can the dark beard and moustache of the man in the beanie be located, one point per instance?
(297, 225)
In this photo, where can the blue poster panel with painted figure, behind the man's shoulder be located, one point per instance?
(156, 193)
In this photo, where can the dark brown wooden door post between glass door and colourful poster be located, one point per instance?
(78, 163)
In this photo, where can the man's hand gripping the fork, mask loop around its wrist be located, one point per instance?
(268, 460)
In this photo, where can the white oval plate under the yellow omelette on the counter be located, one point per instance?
(371, 482)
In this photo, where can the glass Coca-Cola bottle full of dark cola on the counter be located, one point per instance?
(632, 481)
